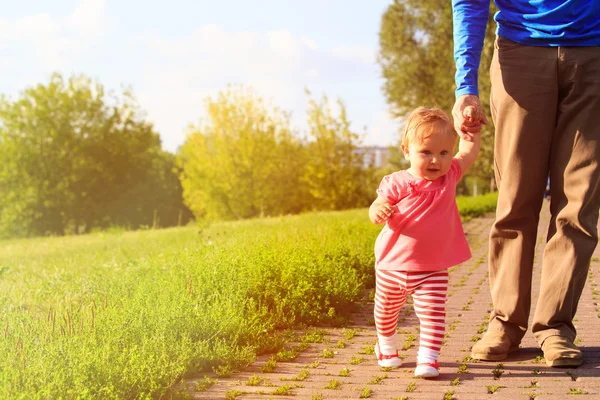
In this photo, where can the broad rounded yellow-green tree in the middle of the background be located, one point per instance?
(243, 161)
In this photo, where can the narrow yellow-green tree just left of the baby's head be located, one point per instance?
(335, 174)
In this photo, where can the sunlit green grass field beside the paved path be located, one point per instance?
(128, 314)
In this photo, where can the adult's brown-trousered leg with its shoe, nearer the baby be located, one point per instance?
(523, 102)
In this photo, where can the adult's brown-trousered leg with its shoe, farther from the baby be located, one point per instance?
(575, 199)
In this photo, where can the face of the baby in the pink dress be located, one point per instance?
(432, 158)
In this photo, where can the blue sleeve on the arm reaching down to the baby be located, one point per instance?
(469, 23)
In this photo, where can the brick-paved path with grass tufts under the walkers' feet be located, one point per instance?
(327, 371)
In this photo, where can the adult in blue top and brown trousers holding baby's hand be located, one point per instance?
(545, 103)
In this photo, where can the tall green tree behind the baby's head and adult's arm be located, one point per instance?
(416, 57)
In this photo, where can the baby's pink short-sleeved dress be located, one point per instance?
(424, 233)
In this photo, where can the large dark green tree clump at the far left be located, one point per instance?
(74, 158)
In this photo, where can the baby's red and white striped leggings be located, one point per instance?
(428, 291)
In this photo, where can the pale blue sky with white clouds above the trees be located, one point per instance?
(174, 54)
